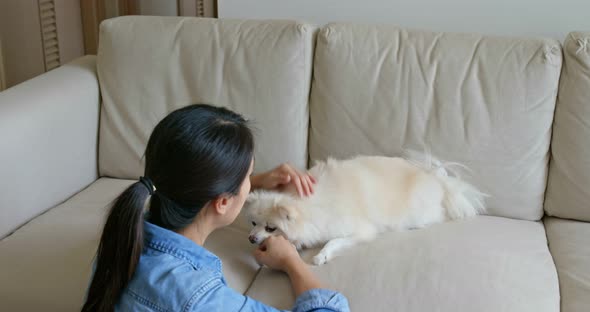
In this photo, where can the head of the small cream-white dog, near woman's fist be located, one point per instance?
(271, 213)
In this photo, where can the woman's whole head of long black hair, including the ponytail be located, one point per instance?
(194, 155)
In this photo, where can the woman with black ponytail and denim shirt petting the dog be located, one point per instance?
(197, 176)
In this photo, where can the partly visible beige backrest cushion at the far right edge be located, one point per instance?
(568, 189)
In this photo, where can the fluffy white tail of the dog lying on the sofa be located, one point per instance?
(461, 199)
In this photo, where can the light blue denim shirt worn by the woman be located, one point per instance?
(175, 274)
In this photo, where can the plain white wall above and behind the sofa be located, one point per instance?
(553, 18)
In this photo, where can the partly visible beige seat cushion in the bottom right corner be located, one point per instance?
(570, 247)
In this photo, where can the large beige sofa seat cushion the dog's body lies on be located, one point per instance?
(482, 264)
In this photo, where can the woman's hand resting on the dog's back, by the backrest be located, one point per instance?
(283, 177)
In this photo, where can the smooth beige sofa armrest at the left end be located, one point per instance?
(48, 141)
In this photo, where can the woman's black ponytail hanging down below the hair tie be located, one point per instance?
(119, 249)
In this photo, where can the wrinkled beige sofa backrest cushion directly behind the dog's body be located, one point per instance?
(486, 102)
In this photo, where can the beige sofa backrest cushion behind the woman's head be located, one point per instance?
(149, 66)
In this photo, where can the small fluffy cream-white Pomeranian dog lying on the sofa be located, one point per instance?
(356, 199)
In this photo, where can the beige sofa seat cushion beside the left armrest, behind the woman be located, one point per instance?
(46, 264)
